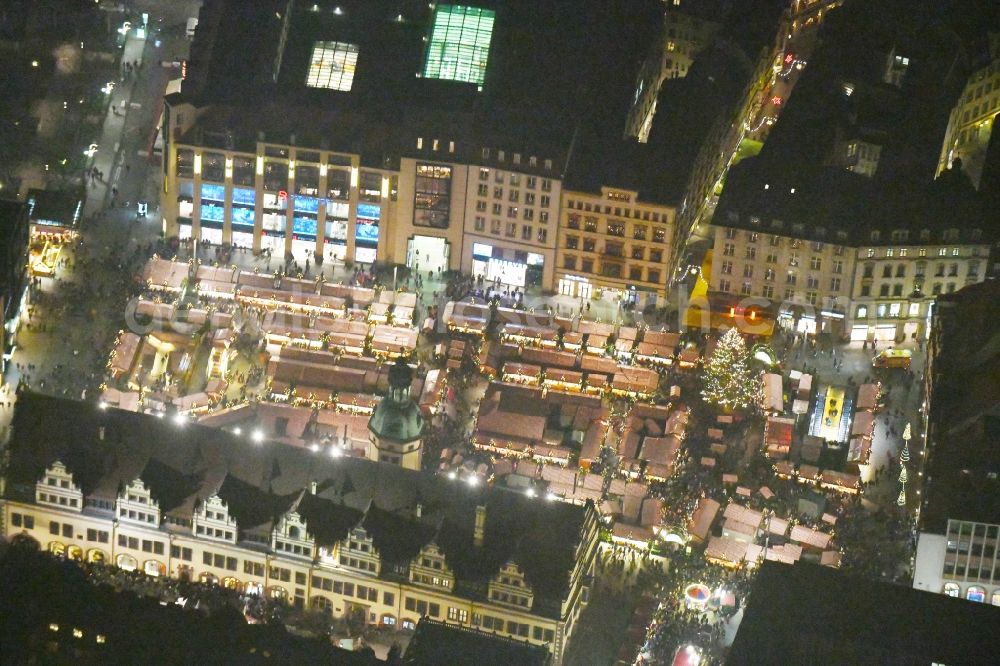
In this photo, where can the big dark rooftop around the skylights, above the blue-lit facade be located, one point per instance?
(547, 64)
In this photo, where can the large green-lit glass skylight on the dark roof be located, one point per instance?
(459, 43)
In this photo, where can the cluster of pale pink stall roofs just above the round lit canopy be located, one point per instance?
(744, 528)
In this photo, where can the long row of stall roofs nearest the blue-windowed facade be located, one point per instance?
(297, 294)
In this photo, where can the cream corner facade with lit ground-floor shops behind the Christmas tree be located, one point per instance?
(882, 291)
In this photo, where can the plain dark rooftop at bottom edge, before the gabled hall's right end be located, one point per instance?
(435, 643)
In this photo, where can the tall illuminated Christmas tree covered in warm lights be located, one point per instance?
(730, 381)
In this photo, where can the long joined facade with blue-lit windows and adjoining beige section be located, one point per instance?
(432, 207)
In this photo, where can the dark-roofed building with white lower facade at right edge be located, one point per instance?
(958, 505)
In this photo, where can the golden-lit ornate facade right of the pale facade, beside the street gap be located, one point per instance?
(613, 242)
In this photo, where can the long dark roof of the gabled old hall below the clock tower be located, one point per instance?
(107, 449)
